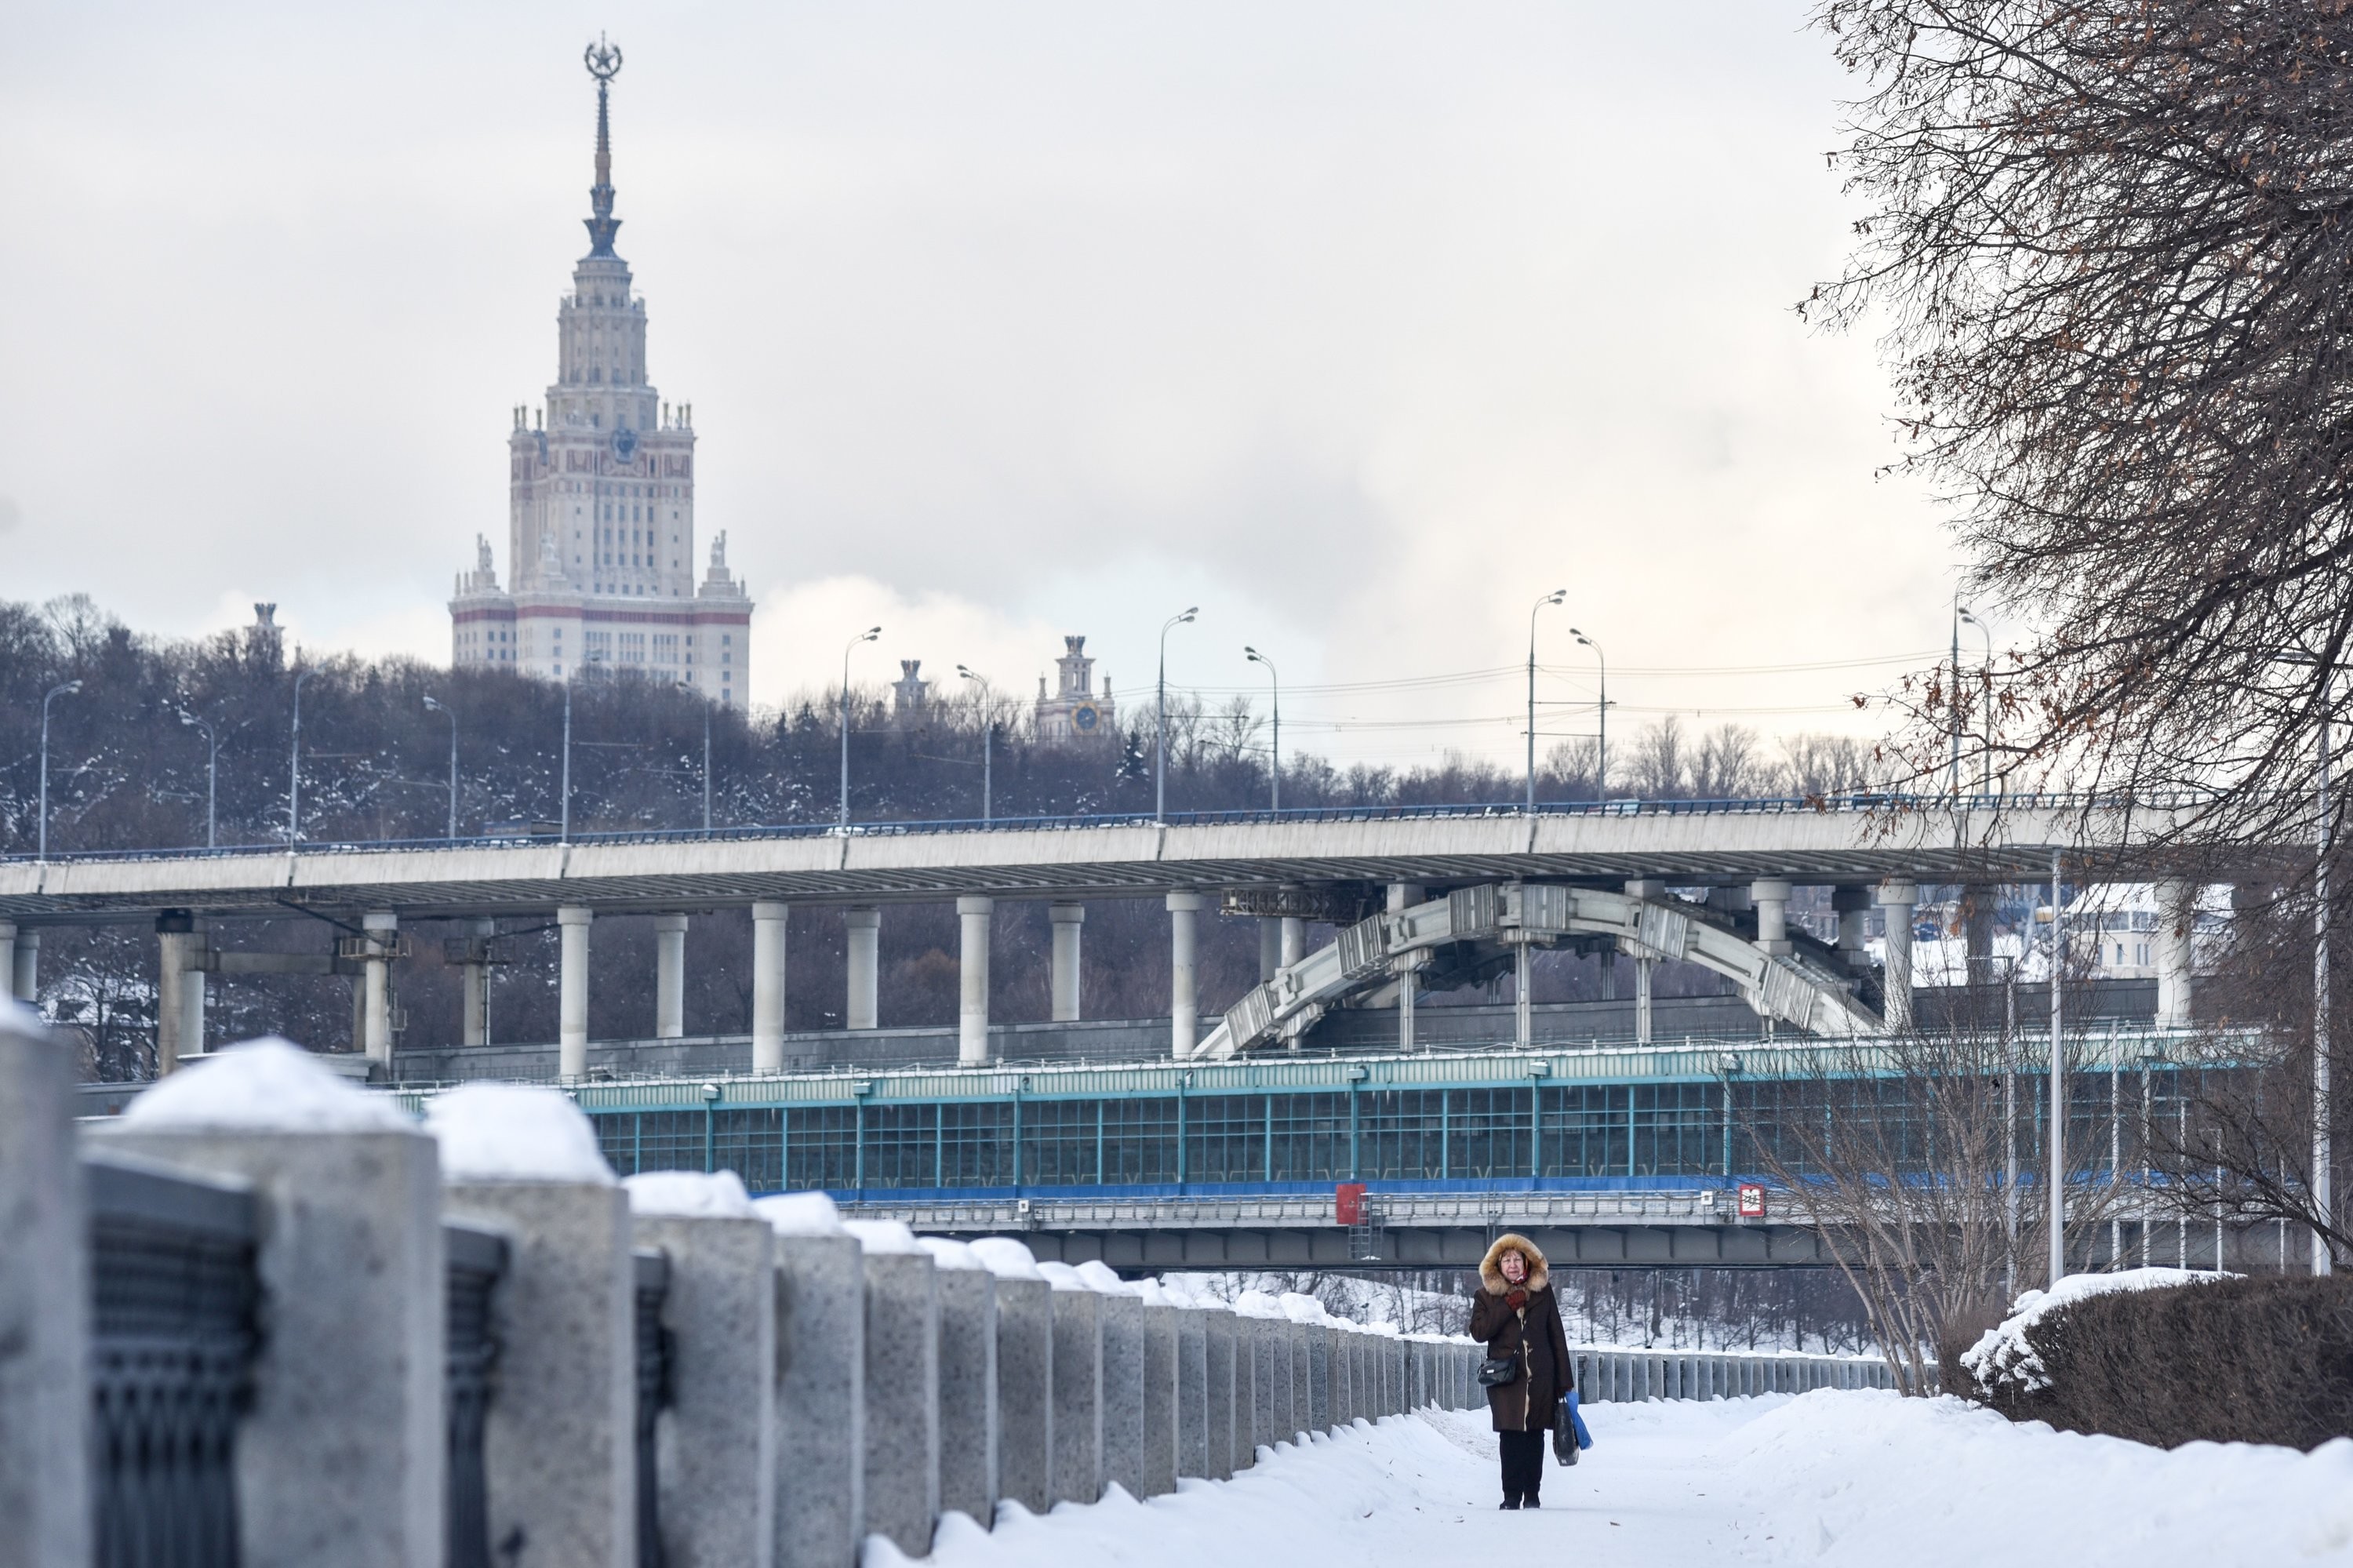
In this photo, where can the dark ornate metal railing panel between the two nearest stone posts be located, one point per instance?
(171, 1357)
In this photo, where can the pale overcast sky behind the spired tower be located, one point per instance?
(1359, 326)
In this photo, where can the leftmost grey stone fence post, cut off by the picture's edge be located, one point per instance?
(44, 1303)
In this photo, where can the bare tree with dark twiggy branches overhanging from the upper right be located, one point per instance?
(2114, 253)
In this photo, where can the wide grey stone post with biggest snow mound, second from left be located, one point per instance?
(352, 1270)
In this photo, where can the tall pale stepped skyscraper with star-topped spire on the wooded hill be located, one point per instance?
(601, 500)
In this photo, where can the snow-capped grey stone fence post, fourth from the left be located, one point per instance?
(719, 1433)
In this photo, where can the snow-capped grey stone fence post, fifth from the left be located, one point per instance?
(820, 1383)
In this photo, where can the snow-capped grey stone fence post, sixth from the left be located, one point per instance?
(902, 1386)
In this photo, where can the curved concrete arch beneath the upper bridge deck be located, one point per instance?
(1366, 957)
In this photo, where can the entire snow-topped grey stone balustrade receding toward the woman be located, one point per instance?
(818, 1383)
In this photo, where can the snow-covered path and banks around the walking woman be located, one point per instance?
(1829, 1477)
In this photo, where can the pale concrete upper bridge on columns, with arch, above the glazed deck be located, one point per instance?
(1420, 896)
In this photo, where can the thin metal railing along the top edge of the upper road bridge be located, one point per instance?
(1733, 806)
